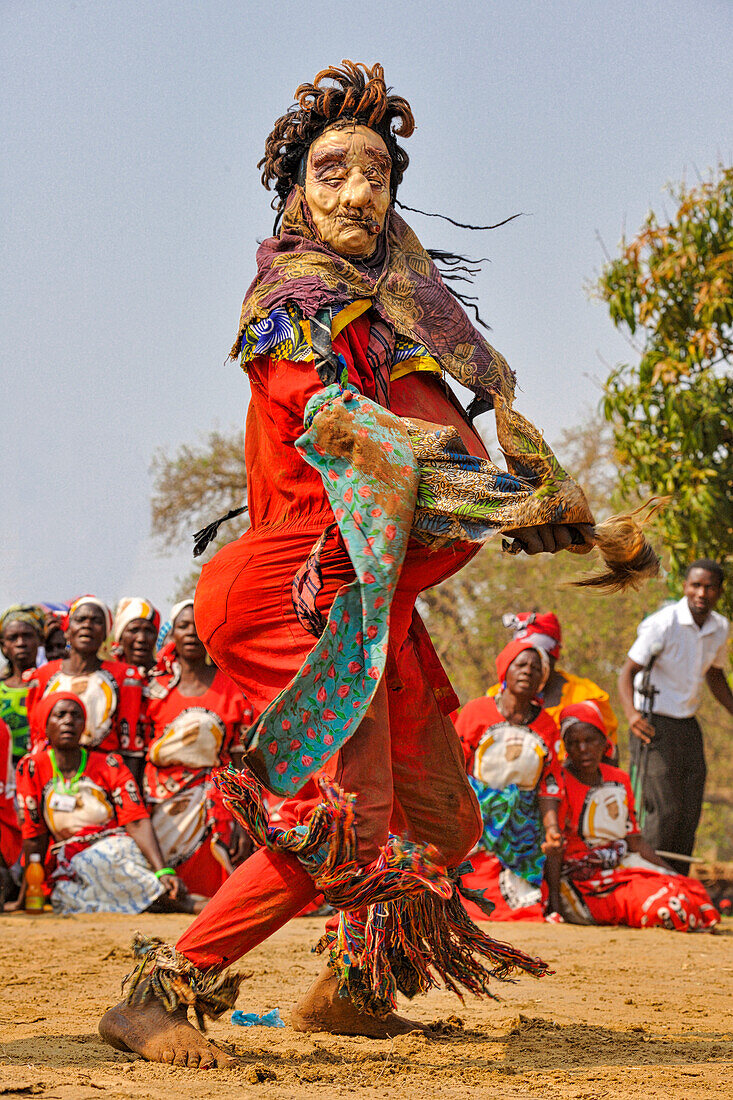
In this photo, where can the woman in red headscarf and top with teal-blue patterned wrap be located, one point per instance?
(509, 743)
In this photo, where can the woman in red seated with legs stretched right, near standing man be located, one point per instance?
(610, 874)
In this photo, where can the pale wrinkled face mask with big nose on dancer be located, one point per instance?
(348, 189)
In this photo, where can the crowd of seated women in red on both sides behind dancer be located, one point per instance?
(112, 728)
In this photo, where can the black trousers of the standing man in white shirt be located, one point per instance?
(674, 779)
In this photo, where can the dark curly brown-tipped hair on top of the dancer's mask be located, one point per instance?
(354, 94)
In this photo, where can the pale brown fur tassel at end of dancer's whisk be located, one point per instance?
(629, 557)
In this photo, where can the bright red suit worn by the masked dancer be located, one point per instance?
(246, 619)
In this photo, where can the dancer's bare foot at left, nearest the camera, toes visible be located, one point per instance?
(149, 1030)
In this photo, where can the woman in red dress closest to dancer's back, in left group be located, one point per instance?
(198, 717)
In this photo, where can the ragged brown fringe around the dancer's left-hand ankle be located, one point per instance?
(166, 974)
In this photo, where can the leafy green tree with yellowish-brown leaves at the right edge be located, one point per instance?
(671, 291)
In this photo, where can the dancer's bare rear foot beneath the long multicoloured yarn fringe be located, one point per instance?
(322, 1009)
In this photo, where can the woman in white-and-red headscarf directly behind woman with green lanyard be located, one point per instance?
(112, 691)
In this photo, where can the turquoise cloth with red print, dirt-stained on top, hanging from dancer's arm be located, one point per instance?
(370, 472)
